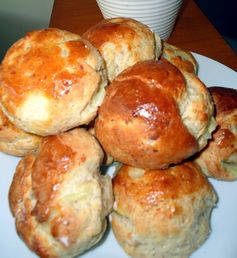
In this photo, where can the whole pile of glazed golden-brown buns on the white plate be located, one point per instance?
(117, 93)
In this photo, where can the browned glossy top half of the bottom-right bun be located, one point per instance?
(151, 188)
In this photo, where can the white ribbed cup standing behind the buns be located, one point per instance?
(159, 15)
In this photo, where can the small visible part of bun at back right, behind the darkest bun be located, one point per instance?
(179, 57)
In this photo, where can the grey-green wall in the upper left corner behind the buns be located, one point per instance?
(19, 16)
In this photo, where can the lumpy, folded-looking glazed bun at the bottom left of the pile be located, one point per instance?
(58, 197)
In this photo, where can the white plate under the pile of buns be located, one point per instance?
(222, 240)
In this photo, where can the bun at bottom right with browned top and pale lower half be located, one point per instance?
(162, 213)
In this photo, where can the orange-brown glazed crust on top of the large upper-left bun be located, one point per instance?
(48, 62)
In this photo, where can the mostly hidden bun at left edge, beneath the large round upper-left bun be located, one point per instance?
(15, 141)
